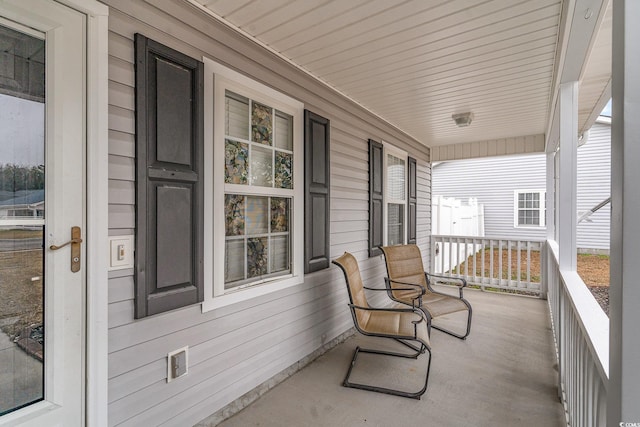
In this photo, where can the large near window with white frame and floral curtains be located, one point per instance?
(255, 188)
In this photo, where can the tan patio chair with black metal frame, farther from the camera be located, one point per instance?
(408, 283)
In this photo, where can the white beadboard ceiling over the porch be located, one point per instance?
(417, 62)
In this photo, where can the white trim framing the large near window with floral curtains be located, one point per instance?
(217, 78)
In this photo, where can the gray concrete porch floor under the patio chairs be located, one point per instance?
(502, 375)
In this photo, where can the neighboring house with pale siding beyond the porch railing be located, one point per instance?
(512, 190)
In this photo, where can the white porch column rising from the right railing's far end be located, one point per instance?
(567, 170)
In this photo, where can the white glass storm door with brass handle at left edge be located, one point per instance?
(41, 198)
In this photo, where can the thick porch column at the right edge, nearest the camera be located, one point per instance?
(623, 391)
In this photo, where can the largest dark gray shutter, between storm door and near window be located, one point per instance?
(169, 169)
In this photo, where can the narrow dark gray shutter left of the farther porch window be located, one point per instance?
(376, 197)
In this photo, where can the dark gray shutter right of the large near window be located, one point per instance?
(316, 192)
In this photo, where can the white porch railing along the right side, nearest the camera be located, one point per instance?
(581, 332)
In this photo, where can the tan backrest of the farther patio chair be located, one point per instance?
(404, 263)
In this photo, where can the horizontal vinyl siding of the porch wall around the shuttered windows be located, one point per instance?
(235, 348)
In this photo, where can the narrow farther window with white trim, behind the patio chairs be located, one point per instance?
(395, 195)
